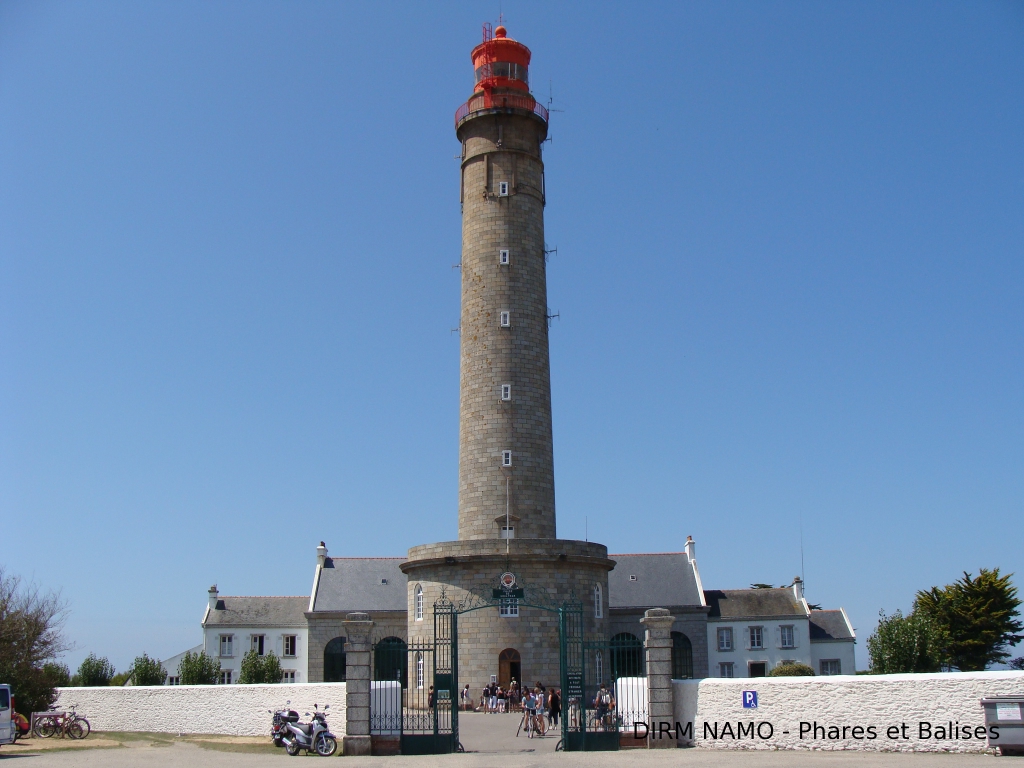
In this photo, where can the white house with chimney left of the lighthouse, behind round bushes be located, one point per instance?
(233, 626)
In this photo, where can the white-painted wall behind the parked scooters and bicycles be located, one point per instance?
(229, 710)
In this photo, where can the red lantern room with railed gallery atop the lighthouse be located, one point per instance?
(502, 68)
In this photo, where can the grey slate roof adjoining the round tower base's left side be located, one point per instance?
(350, 584)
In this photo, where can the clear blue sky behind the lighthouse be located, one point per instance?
(790, 276)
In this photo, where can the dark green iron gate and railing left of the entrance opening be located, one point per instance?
(413, 689)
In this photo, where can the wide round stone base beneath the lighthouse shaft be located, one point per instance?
(492, 642)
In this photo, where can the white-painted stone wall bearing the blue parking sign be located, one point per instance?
(885, 713)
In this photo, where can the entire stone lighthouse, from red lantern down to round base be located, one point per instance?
(506, 466)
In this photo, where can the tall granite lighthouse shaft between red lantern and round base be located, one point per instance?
(504, 147)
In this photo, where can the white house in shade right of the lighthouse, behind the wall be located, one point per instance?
(751, 632)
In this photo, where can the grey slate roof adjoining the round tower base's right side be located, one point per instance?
(662, 580)
